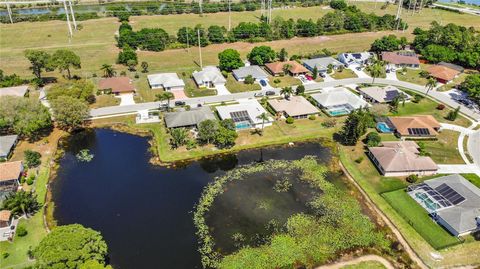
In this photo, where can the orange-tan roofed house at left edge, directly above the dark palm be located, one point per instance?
(10, 173)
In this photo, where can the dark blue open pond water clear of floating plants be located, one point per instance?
(144, 211)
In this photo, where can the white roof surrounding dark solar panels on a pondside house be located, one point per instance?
(251, 106)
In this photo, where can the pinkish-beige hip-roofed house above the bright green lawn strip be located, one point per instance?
(400, 158)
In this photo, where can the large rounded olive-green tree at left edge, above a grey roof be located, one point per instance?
(26, 117)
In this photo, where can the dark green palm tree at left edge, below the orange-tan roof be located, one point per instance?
(21, 203)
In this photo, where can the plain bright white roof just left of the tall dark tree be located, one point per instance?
(339, 96)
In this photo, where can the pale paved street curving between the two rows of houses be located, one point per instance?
(105, 111)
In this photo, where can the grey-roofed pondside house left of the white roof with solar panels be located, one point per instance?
(188, 118)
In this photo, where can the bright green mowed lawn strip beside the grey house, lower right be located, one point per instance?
(418, 218)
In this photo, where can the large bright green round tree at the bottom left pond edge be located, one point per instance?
(70, 246)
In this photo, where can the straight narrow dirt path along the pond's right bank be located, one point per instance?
(413, 255)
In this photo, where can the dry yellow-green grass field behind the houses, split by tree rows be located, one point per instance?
(95, 43)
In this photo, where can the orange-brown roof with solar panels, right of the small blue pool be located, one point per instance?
(402, 124)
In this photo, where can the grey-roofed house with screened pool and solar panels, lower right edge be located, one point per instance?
(452, 201)
